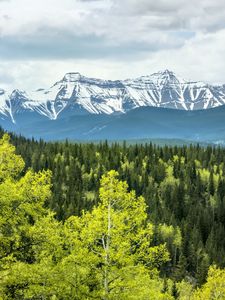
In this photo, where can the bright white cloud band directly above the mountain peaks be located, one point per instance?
(196, 60)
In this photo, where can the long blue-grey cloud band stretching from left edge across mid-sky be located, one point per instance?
(66, 45)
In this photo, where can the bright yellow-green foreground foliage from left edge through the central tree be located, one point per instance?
(106, 253)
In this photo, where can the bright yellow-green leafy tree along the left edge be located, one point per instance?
(21, 207)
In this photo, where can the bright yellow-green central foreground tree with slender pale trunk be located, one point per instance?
(115, 240)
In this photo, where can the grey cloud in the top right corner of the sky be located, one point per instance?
(202, 15)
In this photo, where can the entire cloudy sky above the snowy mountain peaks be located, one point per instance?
(41, 40)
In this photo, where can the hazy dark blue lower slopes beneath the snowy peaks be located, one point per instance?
(141, 123)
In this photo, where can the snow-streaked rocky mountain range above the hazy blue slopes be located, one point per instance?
(76, 94)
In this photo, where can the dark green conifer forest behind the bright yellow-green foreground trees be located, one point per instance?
(184, 189)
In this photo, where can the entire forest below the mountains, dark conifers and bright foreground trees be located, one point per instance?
(111, 220)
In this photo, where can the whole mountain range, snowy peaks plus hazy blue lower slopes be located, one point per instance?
(160, 105)
